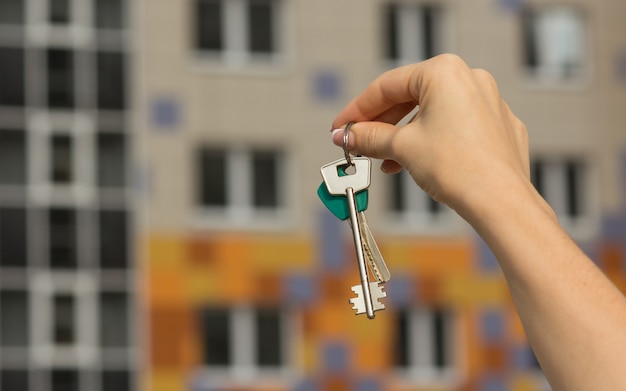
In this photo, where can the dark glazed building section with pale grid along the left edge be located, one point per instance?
(68, 287)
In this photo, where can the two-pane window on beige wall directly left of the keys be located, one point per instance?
(241, 181)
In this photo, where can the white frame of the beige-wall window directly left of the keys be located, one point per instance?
(239, 211)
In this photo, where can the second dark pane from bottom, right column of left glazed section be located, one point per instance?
(114, 320)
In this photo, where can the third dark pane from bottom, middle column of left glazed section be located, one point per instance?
(62, 238)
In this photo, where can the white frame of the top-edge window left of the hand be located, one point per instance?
(235, 56)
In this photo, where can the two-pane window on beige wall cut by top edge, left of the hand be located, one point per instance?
(238, 30)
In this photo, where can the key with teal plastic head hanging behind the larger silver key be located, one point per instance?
(338, 205)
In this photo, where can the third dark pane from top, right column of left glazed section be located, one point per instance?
(111, 160)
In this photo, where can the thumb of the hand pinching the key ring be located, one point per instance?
(373, 139)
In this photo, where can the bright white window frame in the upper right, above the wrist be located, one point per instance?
(551, 25)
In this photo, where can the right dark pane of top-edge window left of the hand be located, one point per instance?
(260, 33)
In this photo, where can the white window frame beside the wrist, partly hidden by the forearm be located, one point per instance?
(554, 189)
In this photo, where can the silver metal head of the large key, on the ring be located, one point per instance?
(358, 181)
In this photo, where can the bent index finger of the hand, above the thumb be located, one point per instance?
(391, 89)
